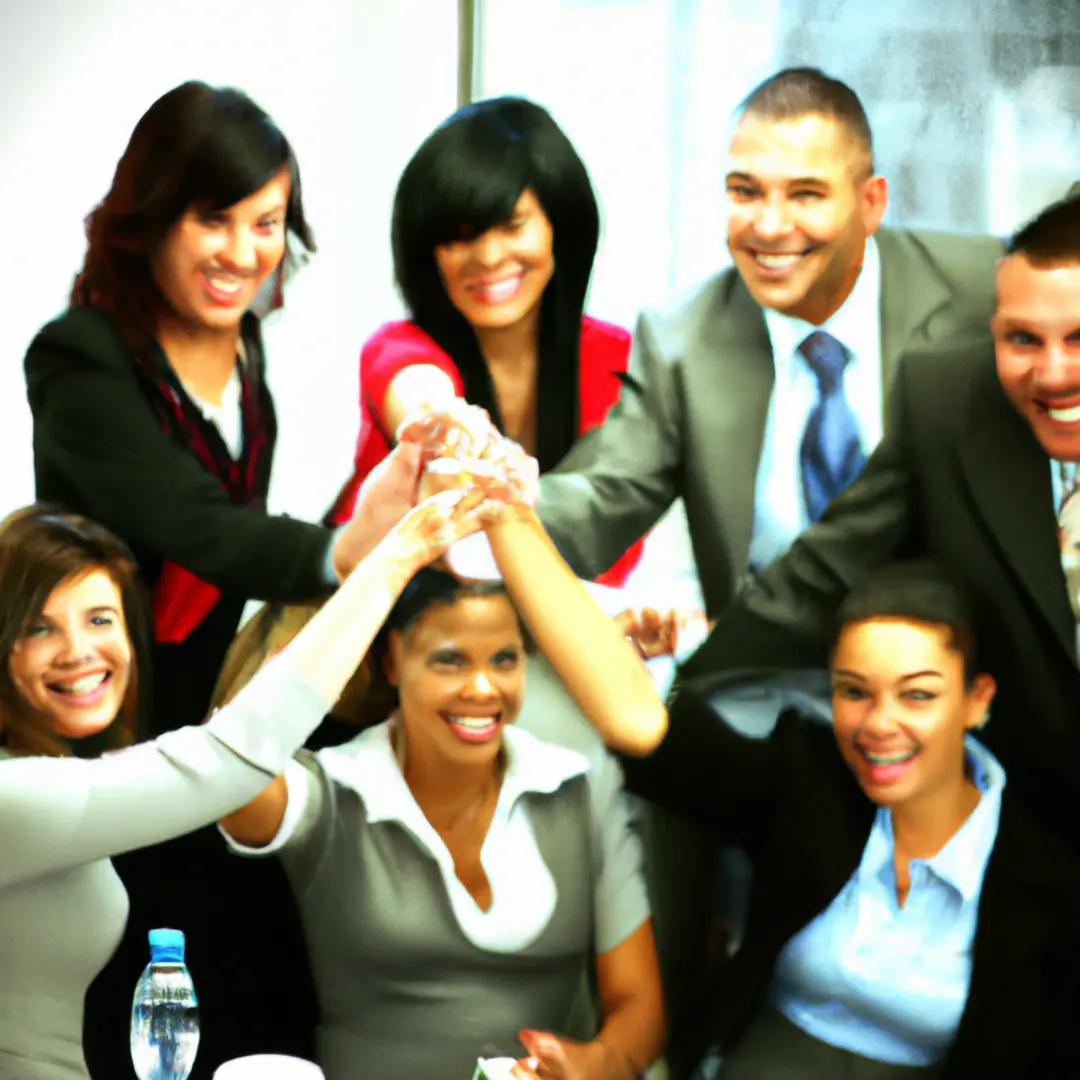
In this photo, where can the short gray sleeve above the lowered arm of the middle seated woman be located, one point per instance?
(622, 901)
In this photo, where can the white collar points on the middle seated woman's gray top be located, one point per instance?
(368, 766)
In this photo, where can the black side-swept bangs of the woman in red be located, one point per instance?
(476, 177)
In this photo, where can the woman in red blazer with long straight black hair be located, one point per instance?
(495, 233)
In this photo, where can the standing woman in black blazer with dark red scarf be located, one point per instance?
(153, 415)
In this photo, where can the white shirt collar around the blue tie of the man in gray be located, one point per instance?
(855, 325)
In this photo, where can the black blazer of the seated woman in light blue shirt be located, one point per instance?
(795, 806)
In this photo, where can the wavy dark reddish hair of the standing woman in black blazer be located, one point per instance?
(196, 146)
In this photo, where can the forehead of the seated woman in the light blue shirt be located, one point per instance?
(895, 647)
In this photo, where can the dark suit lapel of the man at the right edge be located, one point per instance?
(1009, 477)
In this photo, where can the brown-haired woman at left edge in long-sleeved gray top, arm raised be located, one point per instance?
(67, 672)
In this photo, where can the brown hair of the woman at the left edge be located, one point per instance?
(40, 548)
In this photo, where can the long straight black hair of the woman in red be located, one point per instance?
(466, 179)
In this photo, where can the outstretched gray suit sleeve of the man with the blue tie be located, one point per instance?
(620, 478)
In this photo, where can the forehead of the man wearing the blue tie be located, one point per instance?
(782, 151)
